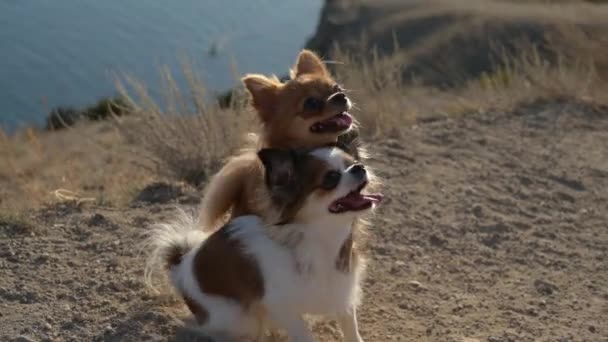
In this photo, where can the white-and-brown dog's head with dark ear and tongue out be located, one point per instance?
(310, 186)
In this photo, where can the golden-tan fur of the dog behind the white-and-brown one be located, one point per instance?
(285, 123)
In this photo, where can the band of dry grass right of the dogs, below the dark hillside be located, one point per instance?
(385, 103)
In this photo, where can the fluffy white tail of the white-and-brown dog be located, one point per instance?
(168, 242)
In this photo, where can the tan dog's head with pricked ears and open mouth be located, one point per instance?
(309, 110)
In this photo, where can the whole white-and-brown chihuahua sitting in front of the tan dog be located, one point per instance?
(250, 276)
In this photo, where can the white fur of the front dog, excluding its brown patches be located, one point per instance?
(297, 261)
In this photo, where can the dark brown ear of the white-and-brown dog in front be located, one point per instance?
(280, 173)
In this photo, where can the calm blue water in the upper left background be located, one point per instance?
(68, 52)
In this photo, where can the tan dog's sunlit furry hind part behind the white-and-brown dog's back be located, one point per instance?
(223, 191)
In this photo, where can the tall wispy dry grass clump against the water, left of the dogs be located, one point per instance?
(188, 139)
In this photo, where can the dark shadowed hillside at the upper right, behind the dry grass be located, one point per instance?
(447, 42)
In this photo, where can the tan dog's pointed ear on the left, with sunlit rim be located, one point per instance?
(263, 92)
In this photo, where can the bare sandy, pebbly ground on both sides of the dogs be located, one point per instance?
(495, 229)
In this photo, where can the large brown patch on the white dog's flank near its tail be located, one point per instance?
(222, 268)
